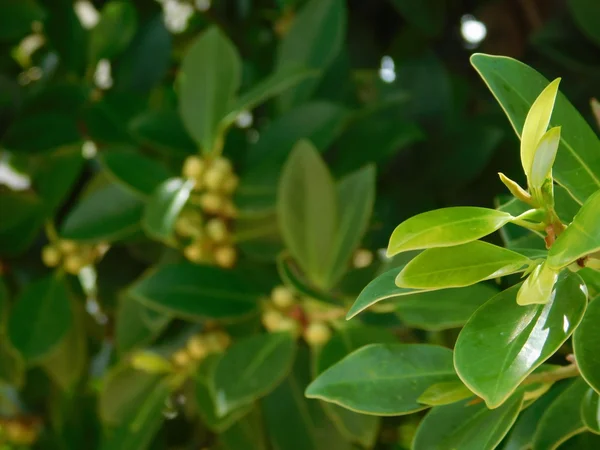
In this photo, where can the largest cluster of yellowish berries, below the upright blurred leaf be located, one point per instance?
(206, 220)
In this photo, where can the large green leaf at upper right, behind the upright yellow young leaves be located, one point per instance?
(516, 86)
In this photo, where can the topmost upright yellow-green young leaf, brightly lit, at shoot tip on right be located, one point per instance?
(536, 124)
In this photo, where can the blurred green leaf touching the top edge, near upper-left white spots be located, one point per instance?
(113, 33)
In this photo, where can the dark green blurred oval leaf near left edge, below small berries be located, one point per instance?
(41, 318)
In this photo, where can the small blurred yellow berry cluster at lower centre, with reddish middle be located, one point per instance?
(283, 312)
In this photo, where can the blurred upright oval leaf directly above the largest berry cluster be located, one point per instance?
(208, 80)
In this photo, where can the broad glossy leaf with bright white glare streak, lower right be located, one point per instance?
(523, 338)
